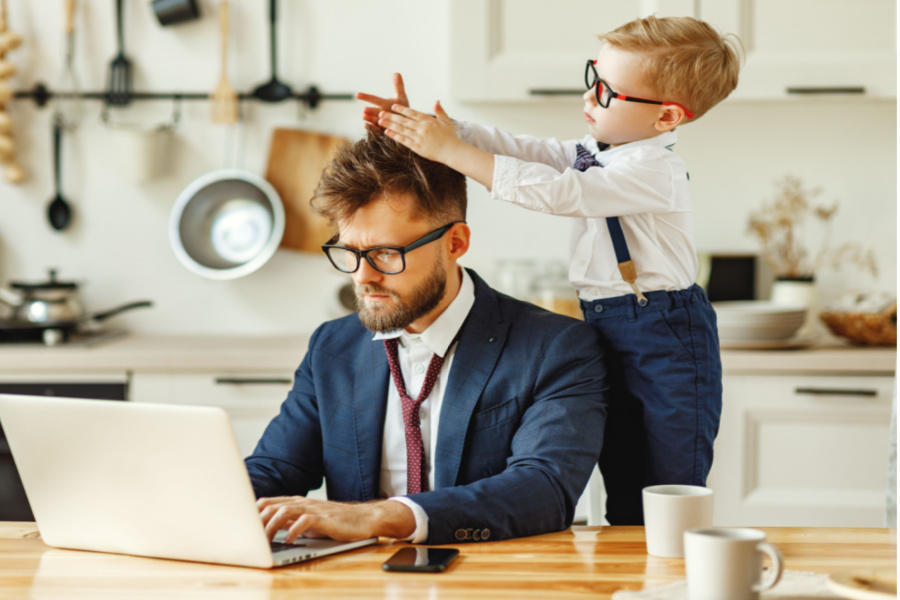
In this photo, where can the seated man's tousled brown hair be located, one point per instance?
(376, 166)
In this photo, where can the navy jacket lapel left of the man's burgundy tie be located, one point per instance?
(369, 405)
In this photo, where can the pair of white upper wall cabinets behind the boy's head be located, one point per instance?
(519, 50)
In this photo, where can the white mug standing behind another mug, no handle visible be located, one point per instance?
(669, 511)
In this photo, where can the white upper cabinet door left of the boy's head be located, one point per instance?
(532, 49)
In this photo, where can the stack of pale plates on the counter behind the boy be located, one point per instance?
(757, 322)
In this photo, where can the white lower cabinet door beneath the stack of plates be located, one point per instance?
(802, 450)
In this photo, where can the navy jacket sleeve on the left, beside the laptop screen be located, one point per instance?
(288, 458)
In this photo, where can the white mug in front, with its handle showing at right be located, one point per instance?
(727, 563)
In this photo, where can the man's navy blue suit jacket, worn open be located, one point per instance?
(521, 425)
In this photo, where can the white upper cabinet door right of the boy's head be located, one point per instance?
(803, 47)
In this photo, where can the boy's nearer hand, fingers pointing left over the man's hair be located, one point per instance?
(433, 137)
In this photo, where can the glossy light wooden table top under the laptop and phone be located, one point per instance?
(580, 562)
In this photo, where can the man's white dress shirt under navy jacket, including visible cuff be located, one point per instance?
(414, 353)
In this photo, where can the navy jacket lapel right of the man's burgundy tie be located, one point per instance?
(481, 342)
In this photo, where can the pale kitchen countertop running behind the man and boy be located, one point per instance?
(283, 353)
